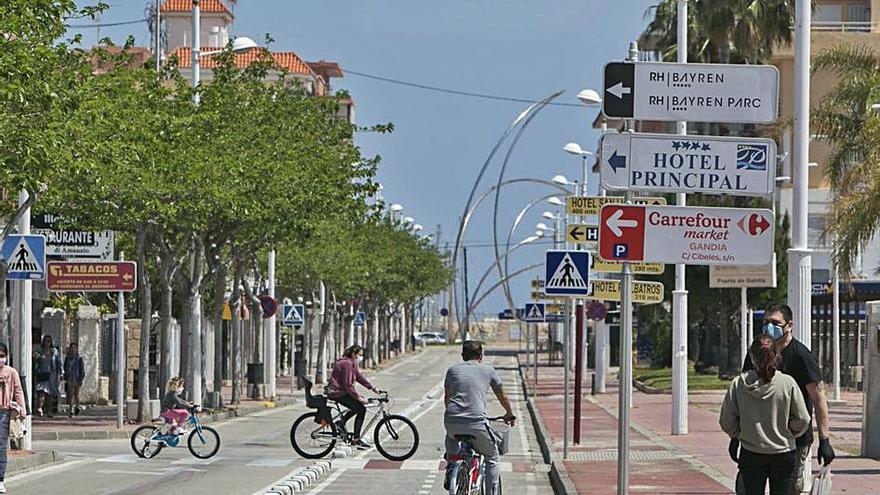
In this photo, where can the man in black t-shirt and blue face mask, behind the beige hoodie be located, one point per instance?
(798, 362)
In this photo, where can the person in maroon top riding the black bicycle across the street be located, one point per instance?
(341, 389)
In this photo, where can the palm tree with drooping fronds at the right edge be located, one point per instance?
(845, 118)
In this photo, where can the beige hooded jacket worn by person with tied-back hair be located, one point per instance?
(766, 417)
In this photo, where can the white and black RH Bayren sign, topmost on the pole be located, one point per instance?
(692, 92)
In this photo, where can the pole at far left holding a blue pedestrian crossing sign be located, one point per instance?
(21, 326)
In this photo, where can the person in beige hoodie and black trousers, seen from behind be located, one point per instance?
(765, 412)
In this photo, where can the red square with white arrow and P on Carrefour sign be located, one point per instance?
(622, 233)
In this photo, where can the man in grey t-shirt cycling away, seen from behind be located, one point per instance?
(466, 386)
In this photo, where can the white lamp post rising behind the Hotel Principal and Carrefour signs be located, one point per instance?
(679, 295)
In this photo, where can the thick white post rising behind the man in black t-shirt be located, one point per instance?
(799, 256)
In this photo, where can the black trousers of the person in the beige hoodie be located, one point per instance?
(755, 469)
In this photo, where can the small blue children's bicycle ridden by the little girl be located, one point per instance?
(203, 441)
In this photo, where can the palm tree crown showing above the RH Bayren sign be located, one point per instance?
(724, 31)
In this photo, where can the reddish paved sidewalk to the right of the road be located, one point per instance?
(661, 463)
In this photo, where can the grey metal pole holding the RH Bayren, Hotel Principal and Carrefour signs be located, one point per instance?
(624, 396)
